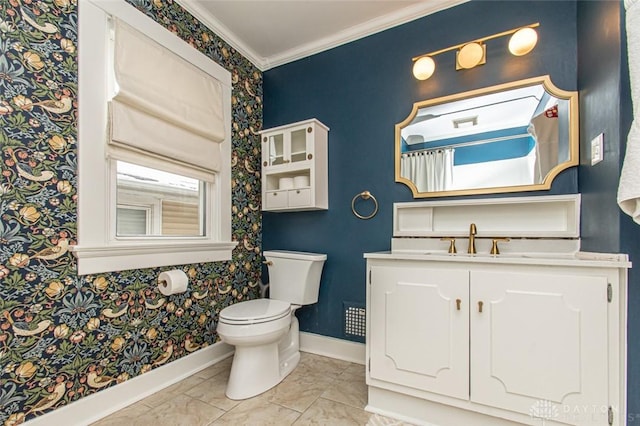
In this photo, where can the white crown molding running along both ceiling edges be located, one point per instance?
(365, 29)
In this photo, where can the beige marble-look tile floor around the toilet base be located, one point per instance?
(320, 391)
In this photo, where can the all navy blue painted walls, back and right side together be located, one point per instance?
(360, 90)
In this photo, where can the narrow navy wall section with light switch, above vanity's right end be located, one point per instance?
(599, 80)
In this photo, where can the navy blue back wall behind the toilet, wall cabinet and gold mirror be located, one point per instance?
(361, 90)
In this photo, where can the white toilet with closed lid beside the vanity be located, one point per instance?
(265, 332)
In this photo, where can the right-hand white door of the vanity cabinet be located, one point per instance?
(539, 346)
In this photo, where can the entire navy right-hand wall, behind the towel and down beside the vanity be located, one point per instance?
(605, 106)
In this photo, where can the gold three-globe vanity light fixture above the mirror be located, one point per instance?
(473, 53)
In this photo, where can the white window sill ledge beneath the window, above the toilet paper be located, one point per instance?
(93, 260)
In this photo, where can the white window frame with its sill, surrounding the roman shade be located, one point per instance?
(98, 249)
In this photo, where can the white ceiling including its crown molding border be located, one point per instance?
(271, 33)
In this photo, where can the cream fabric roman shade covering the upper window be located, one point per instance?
(165, 111)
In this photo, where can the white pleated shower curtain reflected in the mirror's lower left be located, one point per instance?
(430, 170)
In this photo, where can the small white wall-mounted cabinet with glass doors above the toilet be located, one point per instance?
(295, 167)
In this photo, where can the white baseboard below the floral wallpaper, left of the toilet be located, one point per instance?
(98, 405)
